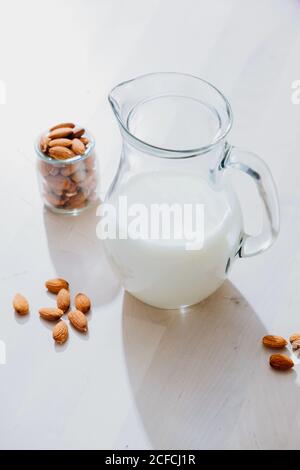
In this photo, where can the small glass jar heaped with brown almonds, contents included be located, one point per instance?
(67, 168)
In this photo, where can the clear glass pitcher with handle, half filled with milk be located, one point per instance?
(175, 154)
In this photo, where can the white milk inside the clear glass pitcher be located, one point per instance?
(163, 273)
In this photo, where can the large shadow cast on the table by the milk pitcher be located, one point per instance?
(191, 373)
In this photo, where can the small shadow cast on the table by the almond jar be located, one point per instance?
(78, 255)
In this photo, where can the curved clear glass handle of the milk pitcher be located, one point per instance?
(252, 165)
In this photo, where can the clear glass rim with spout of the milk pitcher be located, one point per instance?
(185, 153)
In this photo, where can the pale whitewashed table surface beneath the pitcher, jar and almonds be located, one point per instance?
(145, 378)
